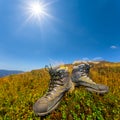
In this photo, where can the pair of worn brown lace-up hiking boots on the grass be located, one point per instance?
(61, 82)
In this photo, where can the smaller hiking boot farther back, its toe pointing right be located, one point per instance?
(80, 78)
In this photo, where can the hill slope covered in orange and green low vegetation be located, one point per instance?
(18, 93)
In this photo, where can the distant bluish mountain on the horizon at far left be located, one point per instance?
(9, 72)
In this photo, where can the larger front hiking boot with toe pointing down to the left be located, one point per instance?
(60, 83)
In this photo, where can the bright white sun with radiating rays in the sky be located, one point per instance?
(37, 10)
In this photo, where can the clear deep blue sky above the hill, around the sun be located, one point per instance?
(78, 29)
